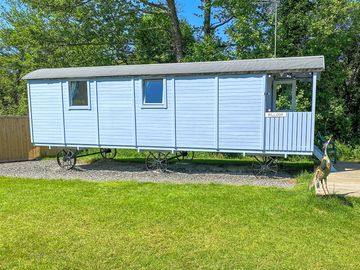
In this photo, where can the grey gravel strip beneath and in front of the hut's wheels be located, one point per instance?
(109, 170)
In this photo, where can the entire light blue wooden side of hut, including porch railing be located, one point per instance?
(209, 113)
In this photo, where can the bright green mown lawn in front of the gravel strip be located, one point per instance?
(92, 225)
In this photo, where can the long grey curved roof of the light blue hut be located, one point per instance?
(266, 65)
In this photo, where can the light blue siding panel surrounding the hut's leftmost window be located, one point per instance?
(81, 124)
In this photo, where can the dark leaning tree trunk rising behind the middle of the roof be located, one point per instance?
(175, 29)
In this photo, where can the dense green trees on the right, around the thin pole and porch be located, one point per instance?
(318, 27)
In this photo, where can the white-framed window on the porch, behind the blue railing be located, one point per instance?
(285, 95)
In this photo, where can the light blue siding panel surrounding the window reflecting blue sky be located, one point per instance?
(154, 125)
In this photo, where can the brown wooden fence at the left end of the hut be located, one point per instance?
(15, 142)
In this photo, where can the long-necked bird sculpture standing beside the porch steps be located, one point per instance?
(322, 171)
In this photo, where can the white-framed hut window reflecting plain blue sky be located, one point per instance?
(154, 95)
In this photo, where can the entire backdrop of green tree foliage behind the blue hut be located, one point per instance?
(62, 33)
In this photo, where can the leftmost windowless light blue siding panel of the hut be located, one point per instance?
(46, 112)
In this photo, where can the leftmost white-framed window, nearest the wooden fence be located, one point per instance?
(79, 95)
